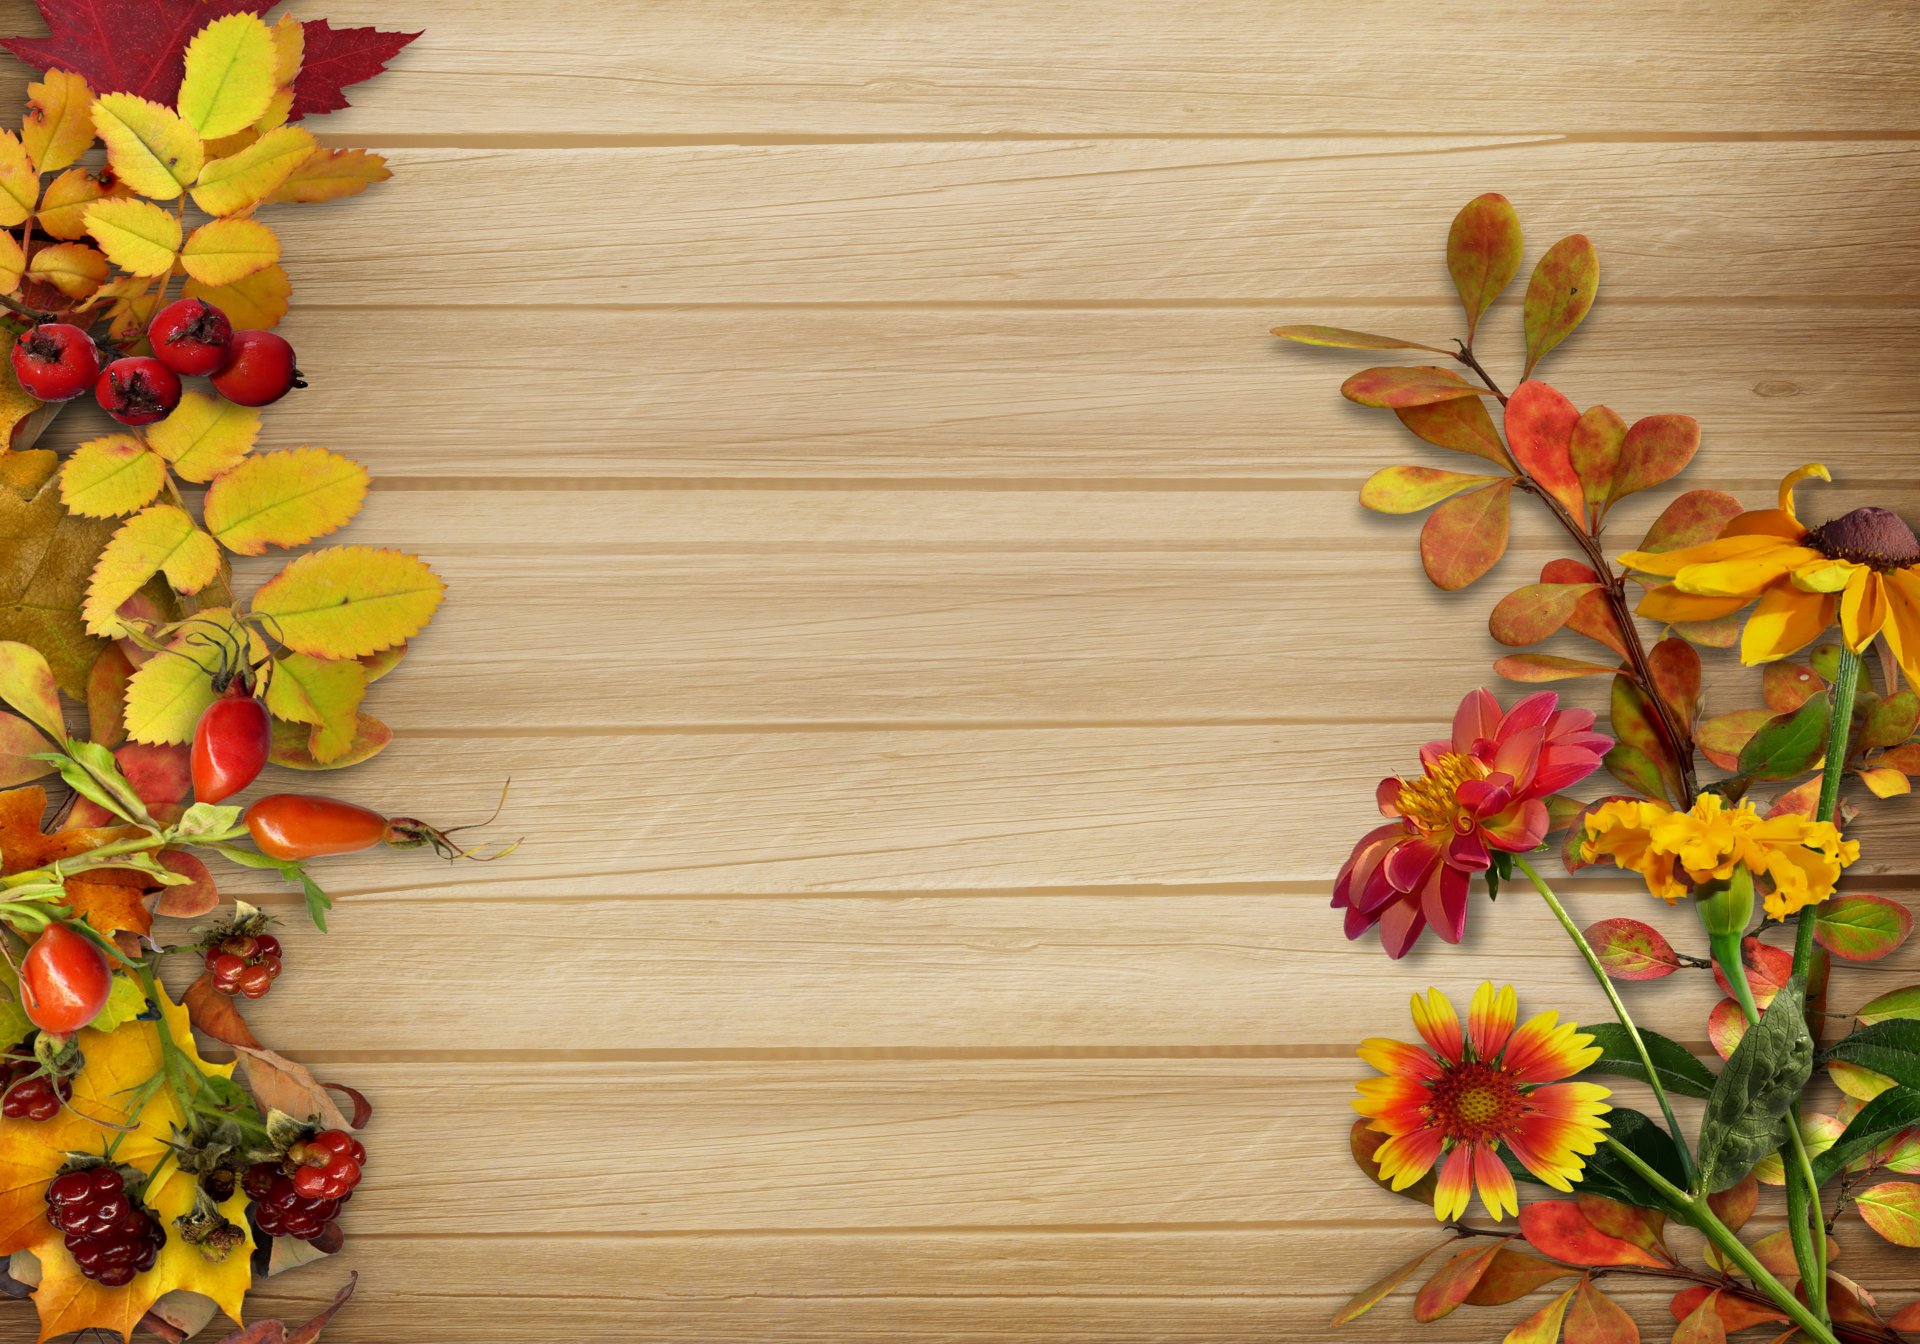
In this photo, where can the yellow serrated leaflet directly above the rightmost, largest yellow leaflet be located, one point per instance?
(283, 500)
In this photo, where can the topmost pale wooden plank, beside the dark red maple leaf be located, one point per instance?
(1136, 68)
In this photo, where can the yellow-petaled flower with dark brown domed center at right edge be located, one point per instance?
(1861, 567)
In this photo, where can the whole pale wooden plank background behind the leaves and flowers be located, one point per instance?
(930, 627)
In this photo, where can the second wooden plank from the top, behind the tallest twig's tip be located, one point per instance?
(1105, 220)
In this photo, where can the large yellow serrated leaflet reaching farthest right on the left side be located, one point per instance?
(347, 602)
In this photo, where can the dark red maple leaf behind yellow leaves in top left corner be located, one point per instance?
(139, 47)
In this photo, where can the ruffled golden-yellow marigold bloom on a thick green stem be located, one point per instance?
(1679, 852)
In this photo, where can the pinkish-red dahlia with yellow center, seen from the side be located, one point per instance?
(1481, 792)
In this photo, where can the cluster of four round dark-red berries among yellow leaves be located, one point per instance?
(59, 362)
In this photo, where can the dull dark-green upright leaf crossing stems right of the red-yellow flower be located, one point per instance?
(1748, 1105)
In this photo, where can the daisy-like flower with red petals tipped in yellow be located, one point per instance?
(1470, 1093)
